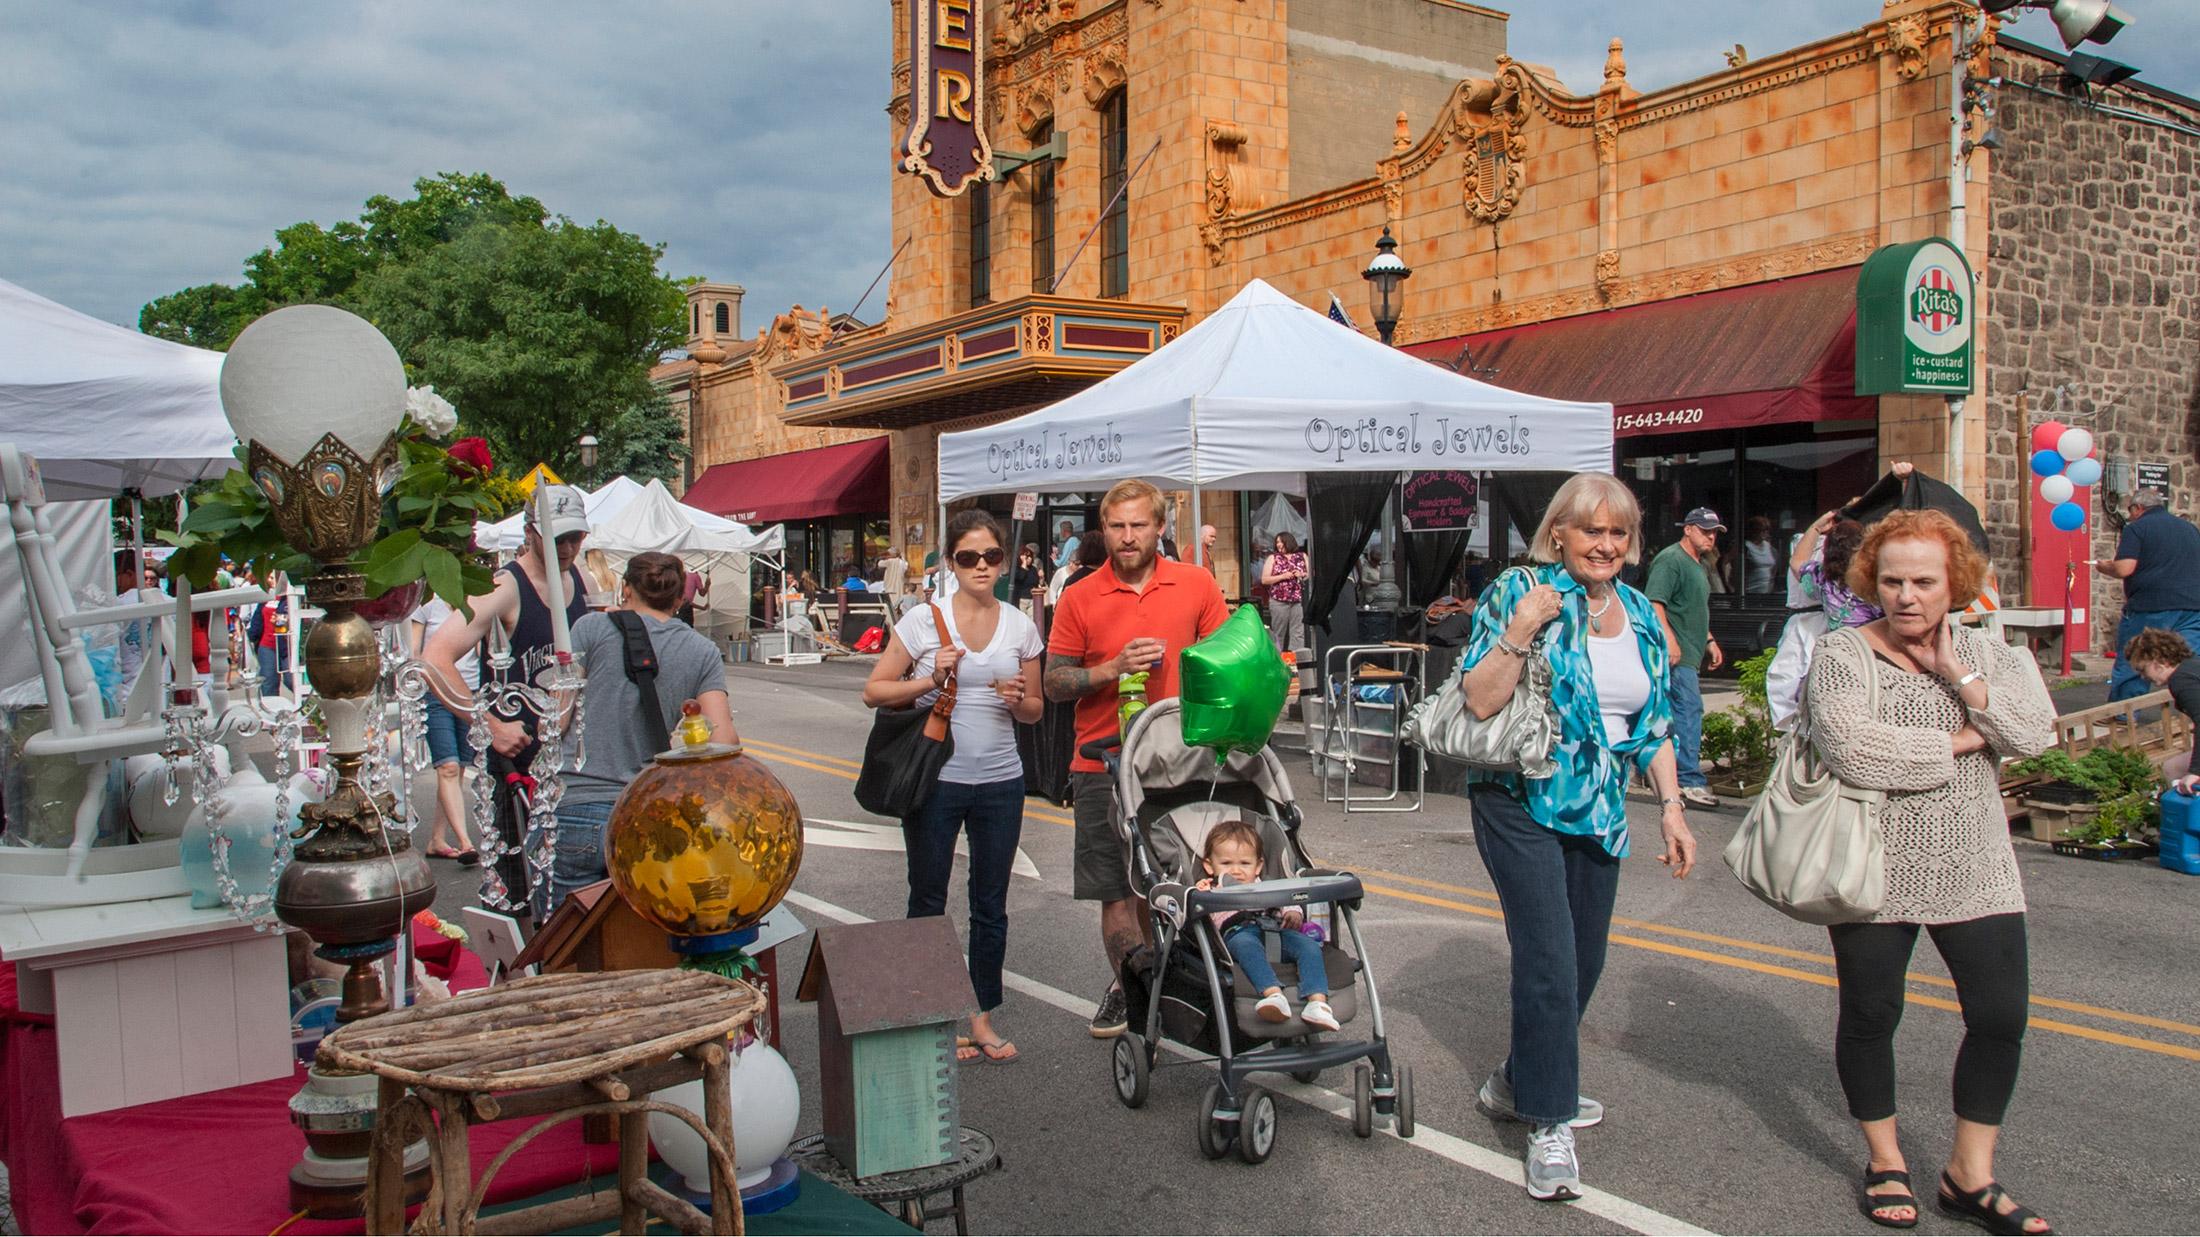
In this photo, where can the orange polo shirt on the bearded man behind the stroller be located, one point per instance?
(1101, 615)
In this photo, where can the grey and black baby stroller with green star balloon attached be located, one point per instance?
(1187, 987)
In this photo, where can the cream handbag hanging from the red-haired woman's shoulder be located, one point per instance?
(1812, 844)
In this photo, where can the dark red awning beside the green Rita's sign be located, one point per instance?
(1757, 355)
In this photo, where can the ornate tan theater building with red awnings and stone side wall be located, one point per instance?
(1686, 252)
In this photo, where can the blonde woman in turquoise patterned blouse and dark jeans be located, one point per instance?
(1554, 844)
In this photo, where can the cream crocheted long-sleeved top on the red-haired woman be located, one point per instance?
(1944, 824)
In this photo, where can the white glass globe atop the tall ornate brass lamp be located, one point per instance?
(311, 371)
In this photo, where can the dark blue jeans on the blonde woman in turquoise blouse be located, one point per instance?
(1559, 917)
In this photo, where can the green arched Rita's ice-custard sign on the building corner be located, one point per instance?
(1915, 311)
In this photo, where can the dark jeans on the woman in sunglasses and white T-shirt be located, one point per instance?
(993, 813)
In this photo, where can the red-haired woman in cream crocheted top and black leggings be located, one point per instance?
(1922, 710)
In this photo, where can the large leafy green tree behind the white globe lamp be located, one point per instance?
(540, 329)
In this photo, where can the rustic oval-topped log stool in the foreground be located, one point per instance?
(562, 1049)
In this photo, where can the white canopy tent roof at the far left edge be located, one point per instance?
(102, 408)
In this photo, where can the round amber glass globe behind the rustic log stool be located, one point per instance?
(705, 842)
